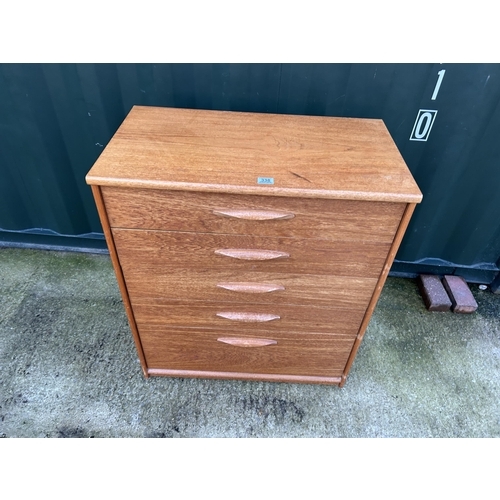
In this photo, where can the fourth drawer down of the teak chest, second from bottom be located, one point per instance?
(249, 317)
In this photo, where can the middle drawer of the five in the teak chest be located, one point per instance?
(148, 282)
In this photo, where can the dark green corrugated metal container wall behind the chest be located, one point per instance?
(55, 120)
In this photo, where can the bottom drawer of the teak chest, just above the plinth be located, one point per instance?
(194, 349)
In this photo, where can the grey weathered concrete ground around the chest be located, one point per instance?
(68, 368)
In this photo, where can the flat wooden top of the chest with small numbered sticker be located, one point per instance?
(226, 151)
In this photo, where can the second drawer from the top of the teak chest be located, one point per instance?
(161, 251)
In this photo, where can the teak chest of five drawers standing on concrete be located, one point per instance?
(251, 246)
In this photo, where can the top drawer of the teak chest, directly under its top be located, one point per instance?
(248, 214)
